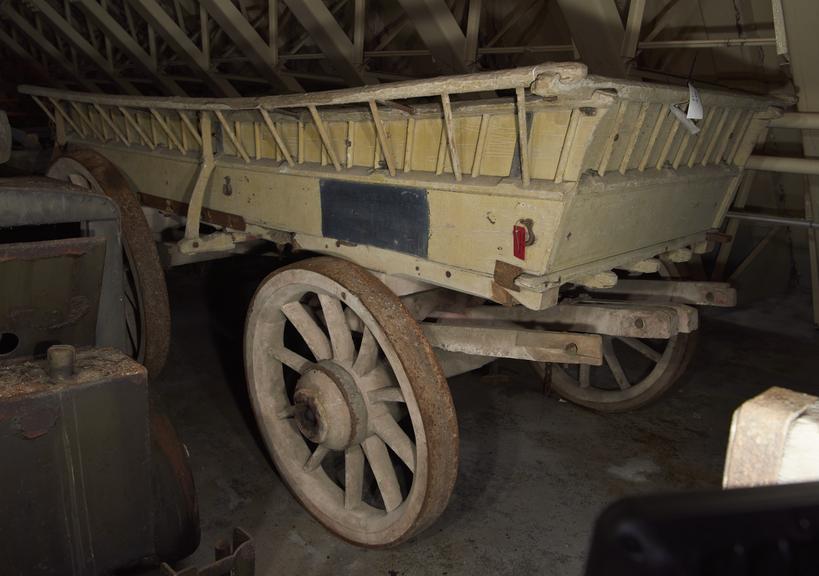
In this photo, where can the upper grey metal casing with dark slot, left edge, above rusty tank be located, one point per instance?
(61, 272)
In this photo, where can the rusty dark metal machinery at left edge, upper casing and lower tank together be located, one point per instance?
(80, 438)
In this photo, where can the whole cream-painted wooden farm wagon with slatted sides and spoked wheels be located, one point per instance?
(459, 219)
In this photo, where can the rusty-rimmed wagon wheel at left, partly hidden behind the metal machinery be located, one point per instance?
(147, 312)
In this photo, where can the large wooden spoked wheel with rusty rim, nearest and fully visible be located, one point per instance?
(351, 401)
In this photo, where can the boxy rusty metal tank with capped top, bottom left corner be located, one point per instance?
(82, 488)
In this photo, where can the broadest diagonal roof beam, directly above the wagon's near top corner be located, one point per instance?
(598, 34)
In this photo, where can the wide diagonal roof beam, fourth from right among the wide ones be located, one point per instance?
(247, 39)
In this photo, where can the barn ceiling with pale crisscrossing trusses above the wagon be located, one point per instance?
(248, 47)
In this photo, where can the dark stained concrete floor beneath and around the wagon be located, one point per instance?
(534, 472)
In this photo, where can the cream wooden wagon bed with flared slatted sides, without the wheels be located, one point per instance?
(427, 180)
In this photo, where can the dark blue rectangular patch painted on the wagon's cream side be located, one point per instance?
(391, 217)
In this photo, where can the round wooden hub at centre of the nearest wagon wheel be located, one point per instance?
(329, 409)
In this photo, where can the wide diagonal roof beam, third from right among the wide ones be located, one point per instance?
(328, 35)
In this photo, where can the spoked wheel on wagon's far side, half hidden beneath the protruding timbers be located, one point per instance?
(635, 372)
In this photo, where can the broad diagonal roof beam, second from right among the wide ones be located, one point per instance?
(439, 31)
